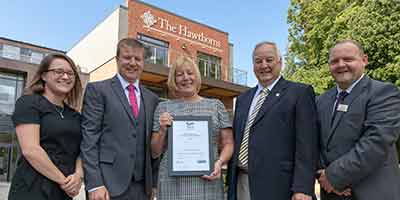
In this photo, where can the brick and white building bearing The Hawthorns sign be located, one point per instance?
(165, 36)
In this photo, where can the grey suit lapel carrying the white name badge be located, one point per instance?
(357, 90)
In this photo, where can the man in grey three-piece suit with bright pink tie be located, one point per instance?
(116, 126)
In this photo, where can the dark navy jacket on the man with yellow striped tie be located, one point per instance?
(283, 142)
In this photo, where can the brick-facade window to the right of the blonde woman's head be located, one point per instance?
(209, 65)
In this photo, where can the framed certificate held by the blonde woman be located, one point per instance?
(189, 146)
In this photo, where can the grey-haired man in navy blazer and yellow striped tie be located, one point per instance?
(276, 135)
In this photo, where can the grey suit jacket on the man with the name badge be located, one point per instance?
(359, 150)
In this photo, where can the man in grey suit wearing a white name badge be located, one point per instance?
(360, 124)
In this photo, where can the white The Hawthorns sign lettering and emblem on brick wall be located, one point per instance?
(150, 21)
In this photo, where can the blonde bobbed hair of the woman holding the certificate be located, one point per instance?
(180, 62)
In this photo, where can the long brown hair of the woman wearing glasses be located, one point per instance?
(37, 84)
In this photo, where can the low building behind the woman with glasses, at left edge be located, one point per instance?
(18, 63)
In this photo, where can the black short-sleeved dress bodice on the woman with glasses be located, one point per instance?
(60, 134)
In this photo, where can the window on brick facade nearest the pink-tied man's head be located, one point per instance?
(156, 51)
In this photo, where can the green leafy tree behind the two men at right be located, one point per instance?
(315, 25)
